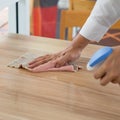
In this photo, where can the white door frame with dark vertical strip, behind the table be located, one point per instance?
(18, 15)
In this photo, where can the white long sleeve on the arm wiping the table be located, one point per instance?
(104, 14)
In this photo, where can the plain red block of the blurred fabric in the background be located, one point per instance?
(49, 21)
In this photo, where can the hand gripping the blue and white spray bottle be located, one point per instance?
(109, 71)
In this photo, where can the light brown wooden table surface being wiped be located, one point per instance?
(51, 95)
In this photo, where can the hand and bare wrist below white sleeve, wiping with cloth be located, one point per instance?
(70, 54)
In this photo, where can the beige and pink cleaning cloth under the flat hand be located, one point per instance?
(22, 62)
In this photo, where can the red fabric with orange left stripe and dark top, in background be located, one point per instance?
(44, 18)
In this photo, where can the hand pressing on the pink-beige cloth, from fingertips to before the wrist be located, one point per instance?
(61, 58)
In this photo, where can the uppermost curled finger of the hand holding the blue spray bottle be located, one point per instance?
(100, 73)
